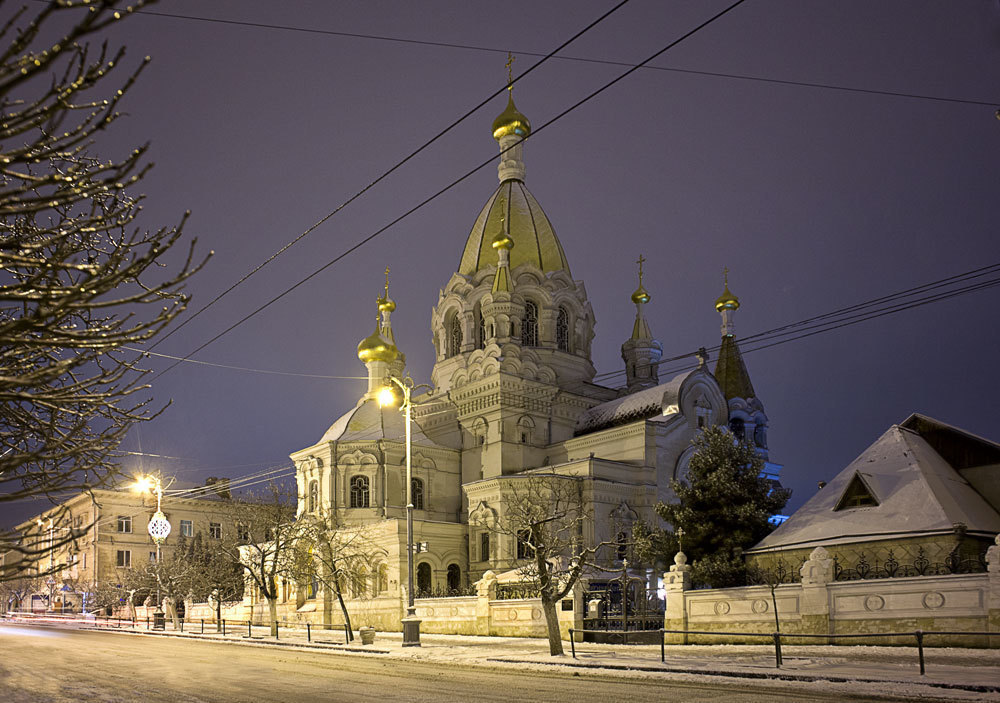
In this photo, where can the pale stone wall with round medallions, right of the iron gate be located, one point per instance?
(818, 605)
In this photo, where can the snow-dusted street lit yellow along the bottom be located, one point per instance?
(42, 665)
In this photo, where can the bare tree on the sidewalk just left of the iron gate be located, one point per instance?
(546, 516)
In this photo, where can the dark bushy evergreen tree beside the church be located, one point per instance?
(723, 507)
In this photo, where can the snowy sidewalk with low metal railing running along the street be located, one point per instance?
(974, 670)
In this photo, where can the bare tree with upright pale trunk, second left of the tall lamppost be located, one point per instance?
(267, 521)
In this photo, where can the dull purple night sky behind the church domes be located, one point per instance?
(814, 198)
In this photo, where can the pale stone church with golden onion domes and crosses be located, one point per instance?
(513, 393)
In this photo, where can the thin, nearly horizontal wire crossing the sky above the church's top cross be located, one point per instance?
(581, 59)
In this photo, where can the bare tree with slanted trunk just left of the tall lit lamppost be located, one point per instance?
(332, 554)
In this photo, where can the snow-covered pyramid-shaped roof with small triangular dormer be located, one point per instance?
(917, 491)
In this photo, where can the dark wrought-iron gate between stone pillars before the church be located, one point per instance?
(619, 610)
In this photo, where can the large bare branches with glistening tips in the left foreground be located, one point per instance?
(82, 283)
